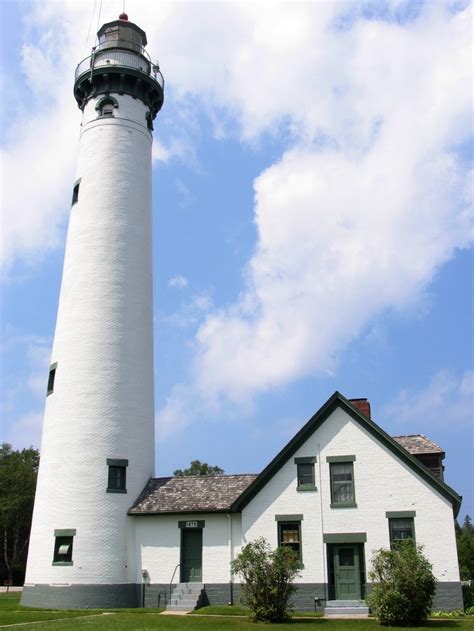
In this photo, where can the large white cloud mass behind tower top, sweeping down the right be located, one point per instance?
(366, 203)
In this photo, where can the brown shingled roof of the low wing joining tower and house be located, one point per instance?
(191, 494)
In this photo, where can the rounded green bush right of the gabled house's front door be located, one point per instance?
(403, 585)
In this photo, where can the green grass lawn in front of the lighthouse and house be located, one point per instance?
(11, 612)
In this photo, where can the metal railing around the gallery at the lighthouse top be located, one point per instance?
(119, 54)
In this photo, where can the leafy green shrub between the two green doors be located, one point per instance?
(268, 579)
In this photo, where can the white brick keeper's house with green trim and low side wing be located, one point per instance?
(338, 491)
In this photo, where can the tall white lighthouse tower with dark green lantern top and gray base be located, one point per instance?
(97, 450)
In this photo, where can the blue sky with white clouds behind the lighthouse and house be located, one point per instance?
(312, 218)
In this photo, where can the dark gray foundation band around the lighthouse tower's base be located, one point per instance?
(81, 596)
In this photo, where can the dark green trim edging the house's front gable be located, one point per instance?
(337, 400)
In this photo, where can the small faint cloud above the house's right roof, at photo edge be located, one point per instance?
(446, 400)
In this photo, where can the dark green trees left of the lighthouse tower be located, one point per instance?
(18, 473)
